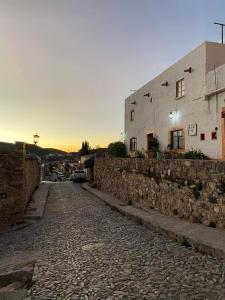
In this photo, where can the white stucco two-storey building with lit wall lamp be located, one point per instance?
(184, 106)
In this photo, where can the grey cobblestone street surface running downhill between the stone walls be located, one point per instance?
(88, 251)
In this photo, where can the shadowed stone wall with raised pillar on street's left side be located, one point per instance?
(19, 177)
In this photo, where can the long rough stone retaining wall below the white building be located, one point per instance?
(191, 189)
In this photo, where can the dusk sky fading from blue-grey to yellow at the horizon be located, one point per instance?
(66, 66)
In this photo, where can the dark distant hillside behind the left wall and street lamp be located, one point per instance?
(31, 149)
